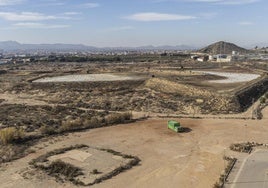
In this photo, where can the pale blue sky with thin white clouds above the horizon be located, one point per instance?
(110, 23)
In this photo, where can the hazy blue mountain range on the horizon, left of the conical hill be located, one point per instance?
(9, 46)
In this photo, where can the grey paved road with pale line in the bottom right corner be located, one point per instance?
(253, 172)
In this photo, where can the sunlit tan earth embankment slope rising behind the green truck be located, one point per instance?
(186, 96)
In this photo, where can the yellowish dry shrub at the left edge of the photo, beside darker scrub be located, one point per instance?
(8, 135)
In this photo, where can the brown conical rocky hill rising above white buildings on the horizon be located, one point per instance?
(223, 48)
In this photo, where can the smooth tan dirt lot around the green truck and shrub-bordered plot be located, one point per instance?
(168, 159)
